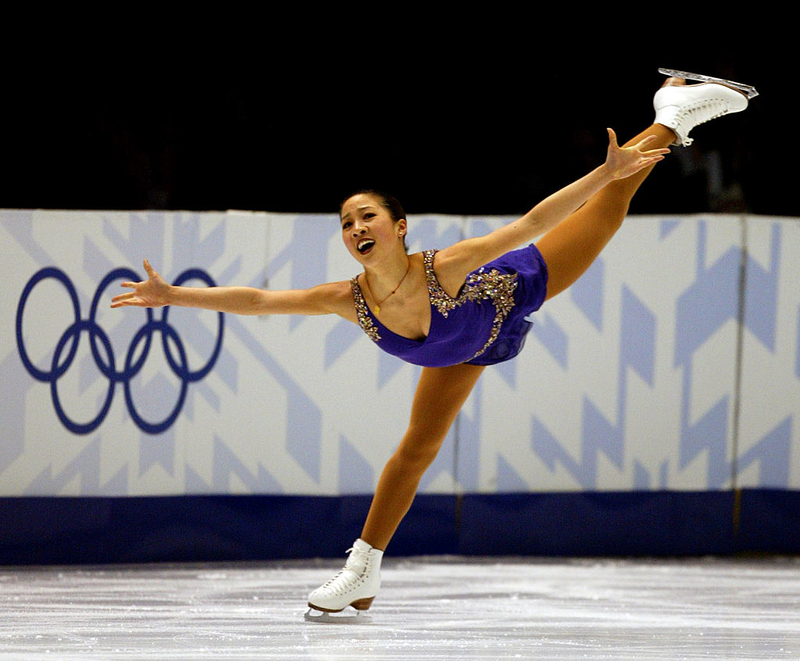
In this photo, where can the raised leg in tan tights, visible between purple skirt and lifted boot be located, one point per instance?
(571, 247)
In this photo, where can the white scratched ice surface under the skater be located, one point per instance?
(428, 608)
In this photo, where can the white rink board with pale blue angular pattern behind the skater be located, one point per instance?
(631, 380)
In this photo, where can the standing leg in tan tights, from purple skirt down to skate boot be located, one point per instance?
(440, 394)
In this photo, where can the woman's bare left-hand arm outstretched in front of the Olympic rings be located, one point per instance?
(332, 298)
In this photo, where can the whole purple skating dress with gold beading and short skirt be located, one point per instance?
(485, 324)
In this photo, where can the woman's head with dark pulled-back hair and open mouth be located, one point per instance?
(368, 228)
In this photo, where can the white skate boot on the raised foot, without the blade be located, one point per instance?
(681, 107)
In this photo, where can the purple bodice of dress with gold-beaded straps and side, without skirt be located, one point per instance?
(467, 325)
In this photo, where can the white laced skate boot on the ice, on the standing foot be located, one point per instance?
(355, 585)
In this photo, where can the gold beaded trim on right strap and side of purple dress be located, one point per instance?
(479, 286)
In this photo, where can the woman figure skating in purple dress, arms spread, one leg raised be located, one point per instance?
(457, 310)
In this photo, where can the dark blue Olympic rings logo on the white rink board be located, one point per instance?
(105, 359)
